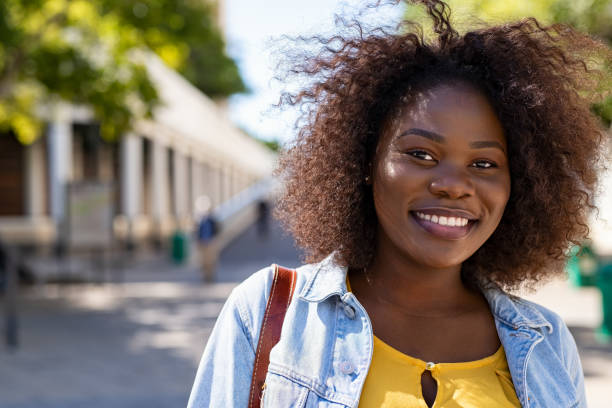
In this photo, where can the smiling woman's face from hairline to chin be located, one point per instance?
(440, 177)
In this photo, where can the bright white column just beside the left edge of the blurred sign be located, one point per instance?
(60, 163)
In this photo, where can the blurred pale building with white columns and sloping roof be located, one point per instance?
(154, 173)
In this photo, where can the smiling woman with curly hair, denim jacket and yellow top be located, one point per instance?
(430, 179)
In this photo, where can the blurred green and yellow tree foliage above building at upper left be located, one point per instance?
(86, 52)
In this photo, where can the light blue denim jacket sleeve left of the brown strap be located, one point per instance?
(224, 375)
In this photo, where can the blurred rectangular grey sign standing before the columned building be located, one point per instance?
(90, 215)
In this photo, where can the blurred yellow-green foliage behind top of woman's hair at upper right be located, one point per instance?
(590, 16)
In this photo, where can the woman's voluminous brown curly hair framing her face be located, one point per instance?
(539, 80)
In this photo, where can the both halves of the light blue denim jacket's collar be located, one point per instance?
(328, 279)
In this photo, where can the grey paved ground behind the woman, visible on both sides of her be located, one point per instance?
(138, 343)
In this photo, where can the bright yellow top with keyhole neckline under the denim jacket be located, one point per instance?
(394, 380)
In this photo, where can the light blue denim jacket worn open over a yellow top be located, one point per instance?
(325, 350)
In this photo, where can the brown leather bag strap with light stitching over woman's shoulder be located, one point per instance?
(271, 326)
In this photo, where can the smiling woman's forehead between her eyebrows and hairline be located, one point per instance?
(457, 109)
